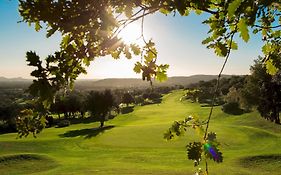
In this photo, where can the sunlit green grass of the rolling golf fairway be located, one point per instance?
(133, 144)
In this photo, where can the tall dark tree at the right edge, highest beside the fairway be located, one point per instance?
(263, 91)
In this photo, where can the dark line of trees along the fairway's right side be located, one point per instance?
(237, 94)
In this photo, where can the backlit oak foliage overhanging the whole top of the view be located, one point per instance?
(90, 30)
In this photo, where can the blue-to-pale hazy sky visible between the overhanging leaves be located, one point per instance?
(178, 40)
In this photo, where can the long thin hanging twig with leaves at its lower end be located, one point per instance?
(209, 146)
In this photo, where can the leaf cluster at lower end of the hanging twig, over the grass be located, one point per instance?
(207, 147)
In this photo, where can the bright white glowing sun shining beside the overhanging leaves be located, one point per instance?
(131, 34)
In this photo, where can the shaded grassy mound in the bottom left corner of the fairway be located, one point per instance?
(25, 164)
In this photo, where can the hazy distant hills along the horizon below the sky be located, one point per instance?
(113, 82)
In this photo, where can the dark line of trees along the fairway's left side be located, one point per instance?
(76, 105)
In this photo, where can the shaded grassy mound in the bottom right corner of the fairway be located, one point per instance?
(262, 162)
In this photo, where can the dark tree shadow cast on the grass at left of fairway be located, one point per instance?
(86, 133)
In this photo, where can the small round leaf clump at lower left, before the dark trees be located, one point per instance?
(28, 122)
